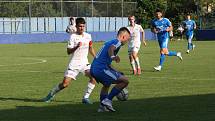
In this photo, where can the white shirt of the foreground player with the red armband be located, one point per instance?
(79, 57)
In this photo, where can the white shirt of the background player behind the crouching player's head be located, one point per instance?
(135, 35)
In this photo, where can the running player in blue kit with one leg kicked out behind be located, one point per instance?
(161, 26)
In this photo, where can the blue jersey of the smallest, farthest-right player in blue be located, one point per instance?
(189, 26)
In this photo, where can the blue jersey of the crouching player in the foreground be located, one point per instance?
(102, 59)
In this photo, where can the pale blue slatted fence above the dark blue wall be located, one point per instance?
(58, 24)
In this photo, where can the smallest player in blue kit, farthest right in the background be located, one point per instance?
(189, 26)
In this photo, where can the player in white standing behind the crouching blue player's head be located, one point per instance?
(134, 44)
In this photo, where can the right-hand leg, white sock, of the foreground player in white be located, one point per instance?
(89, 88)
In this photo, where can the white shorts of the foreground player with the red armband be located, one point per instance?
(72, 73)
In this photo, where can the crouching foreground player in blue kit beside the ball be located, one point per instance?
(104, 73)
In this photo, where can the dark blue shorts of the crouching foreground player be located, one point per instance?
(106, 76)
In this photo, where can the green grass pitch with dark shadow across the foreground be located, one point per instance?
(182, 91)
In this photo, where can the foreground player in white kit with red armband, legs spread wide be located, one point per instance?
(79, 45)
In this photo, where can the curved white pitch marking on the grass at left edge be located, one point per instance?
(39, 61)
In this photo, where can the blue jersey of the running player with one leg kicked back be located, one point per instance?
(161, 26)
